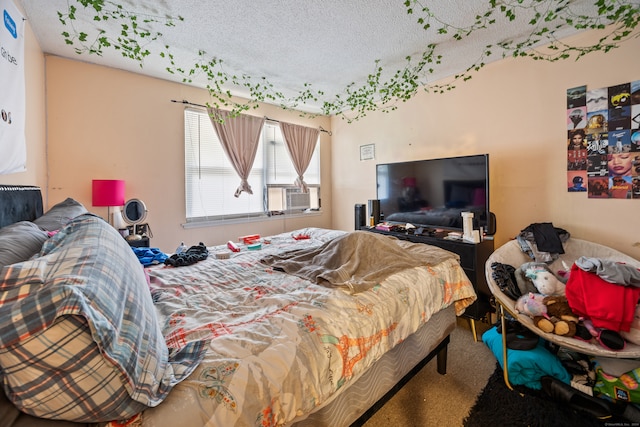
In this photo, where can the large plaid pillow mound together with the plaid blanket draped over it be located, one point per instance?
(86, 271)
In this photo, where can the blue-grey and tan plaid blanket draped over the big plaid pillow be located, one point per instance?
(88, 270)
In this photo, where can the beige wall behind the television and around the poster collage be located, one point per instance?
(514, 110)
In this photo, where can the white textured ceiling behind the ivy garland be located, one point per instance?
(328, 44)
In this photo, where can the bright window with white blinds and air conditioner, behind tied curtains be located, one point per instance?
(210, 180)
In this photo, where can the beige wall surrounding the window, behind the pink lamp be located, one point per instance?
(104, 123)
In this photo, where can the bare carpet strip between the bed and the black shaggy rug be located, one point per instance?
(431, 399)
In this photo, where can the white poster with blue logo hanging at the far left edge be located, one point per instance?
(13, 147)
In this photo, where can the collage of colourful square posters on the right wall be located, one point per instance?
(603, 141)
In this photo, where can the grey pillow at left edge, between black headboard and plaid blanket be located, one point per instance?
(19, 242)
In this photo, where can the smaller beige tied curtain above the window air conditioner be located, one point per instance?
(301, 142)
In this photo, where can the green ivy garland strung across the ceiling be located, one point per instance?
(618, 20)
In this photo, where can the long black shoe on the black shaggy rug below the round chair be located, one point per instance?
(564, 393)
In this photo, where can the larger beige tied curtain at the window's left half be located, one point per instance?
(239, 136)
